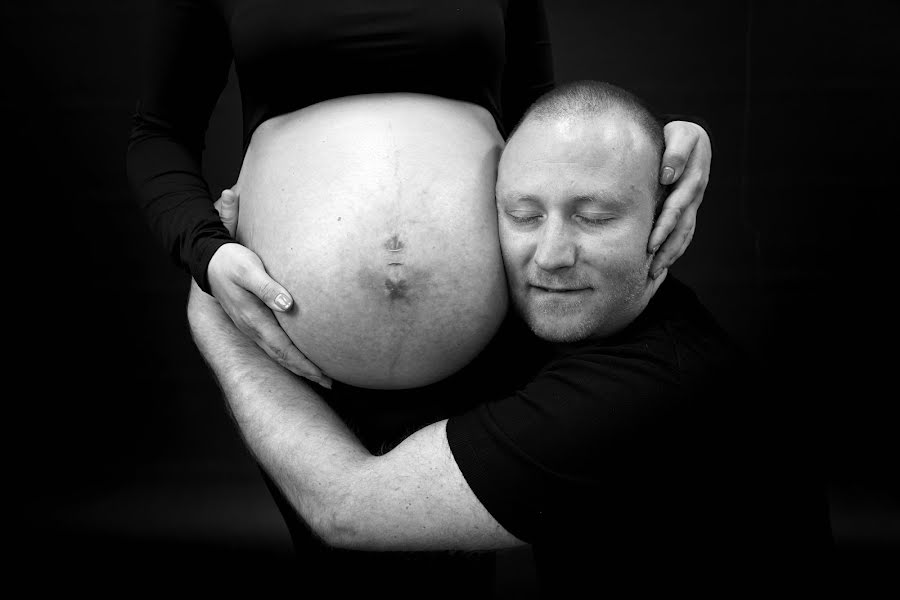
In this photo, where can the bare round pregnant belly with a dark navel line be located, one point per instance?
(377, 213)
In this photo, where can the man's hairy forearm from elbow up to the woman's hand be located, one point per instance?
(285, 424)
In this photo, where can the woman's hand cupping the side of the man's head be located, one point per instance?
(685, 164)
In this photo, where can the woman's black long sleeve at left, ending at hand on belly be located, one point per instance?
(188, 56)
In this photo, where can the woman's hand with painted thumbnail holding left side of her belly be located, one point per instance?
(238, 280)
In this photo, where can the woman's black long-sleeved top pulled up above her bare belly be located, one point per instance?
(290, 54)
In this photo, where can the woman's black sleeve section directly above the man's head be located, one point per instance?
(528, 72)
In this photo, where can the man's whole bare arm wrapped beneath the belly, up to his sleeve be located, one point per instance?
(412, 498)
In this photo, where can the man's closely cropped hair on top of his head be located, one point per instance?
(588, 98)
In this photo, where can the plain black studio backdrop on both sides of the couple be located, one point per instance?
(127, 469)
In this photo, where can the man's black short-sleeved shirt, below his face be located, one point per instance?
(646, 460)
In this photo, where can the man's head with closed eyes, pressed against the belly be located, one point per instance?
(577, 195)
